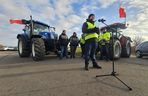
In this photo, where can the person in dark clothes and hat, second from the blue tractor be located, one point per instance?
(74, 41)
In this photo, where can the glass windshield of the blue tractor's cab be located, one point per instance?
(40, 28)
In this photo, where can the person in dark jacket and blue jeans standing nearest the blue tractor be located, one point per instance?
(63, 41)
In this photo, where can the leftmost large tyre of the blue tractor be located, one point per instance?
(23, 50)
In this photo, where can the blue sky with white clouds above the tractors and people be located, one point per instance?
(70, 15)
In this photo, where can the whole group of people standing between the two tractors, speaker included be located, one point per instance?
(90, 41)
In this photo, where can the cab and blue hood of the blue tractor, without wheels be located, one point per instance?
(39, 28)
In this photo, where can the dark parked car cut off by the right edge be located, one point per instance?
(142, 50)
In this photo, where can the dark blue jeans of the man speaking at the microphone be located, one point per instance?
(90, 50)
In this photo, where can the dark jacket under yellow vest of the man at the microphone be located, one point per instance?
(85, 26)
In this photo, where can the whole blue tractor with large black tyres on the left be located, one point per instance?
(38, 40)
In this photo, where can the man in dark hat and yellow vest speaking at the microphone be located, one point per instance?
(91, 41)
